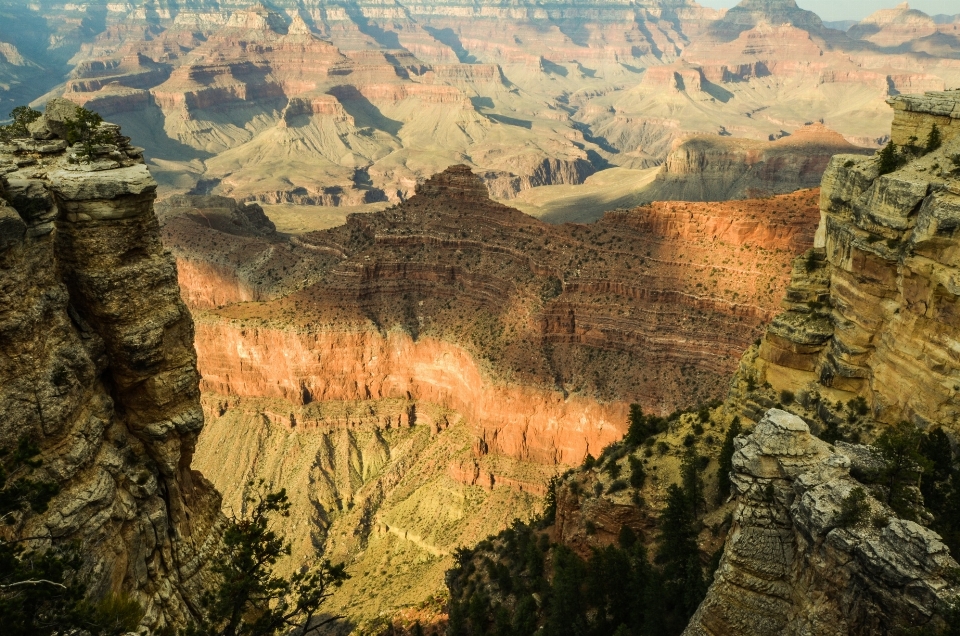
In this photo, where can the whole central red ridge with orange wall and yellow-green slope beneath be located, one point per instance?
(415, 377)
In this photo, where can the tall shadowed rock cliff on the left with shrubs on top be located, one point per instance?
(98, 366)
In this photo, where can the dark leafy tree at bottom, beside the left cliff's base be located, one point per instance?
(250, 600)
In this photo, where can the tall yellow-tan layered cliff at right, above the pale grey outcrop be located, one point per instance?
(872, 312)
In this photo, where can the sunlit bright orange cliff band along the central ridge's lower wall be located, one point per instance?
(520, 422)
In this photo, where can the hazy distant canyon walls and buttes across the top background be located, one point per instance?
(352, 103)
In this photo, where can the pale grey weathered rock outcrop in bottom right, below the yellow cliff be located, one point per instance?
(789, 568)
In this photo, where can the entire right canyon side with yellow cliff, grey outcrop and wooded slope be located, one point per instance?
(810, 539)
